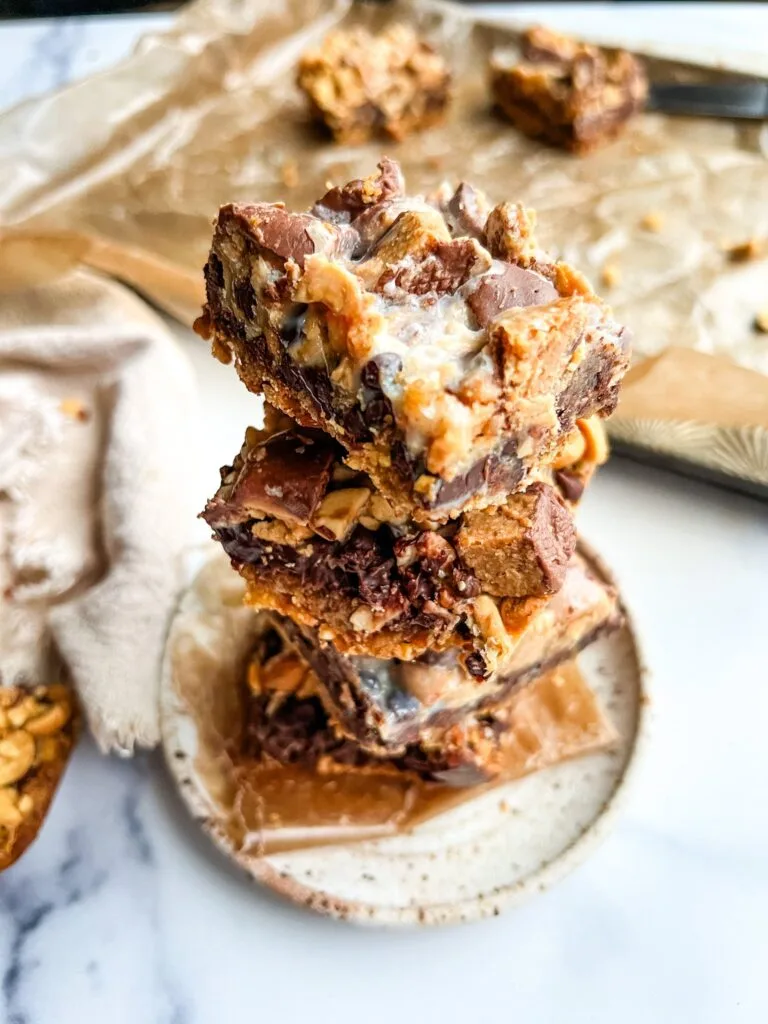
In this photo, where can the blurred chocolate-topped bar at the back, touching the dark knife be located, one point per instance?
(572, 95)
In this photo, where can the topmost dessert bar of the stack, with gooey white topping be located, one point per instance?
(434, 339)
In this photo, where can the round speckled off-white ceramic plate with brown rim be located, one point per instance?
(482, 858)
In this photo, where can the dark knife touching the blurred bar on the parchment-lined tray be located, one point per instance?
(733, 100)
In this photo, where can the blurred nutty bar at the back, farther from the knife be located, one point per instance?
(360, 84)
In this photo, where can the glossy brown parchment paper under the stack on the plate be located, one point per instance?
(278, 809)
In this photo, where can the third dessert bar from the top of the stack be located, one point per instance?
(386, 705)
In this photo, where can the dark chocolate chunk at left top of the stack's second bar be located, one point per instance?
(286, 478)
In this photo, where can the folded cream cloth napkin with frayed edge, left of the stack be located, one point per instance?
(97, 404)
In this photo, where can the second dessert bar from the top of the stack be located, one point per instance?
(315, 541)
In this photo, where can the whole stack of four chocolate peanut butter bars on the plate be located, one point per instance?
(435, 386)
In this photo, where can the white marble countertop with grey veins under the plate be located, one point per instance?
(122, 913)
